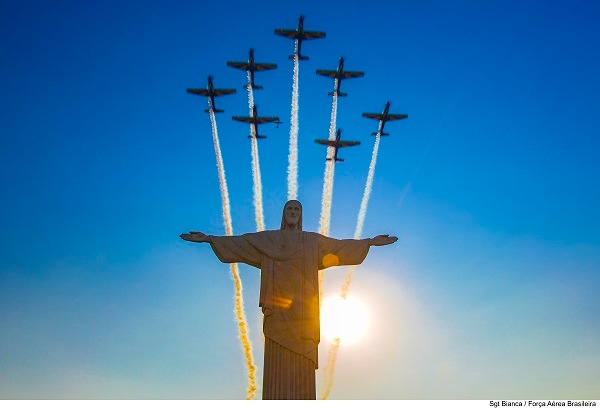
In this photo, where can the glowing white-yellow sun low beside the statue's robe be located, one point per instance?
(347, 319)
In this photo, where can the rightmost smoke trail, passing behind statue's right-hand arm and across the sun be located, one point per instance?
(333, 350)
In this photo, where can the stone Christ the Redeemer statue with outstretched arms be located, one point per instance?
(289, 260)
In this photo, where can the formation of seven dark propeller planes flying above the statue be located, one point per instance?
(299, 35)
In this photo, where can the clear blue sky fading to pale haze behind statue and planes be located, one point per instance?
(492, 186)
